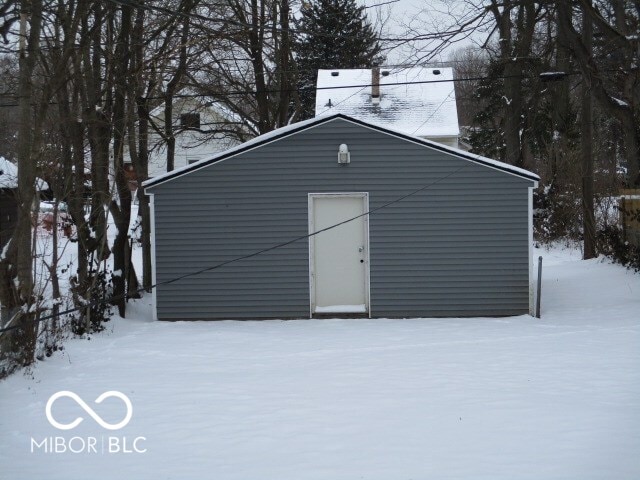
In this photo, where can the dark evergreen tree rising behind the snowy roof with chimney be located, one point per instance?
(331, 34)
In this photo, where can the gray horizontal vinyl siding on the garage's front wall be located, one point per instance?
(458, 248)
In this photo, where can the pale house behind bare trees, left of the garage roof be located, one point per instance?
(202, 128)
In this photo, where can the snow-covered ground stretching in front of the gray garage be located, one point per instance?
(508, 398)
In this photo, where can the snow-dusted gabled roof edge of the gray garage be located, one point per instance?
(308, 124)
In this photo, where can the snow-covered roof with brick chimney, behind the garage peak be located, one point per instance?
(416, 101)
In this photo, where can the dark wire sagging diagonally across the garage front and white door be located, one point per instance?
(234, 260)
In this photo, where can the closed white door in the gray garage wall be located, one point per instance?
(339, 262)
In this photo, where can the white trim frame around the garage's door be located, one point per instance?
(312, 286)
